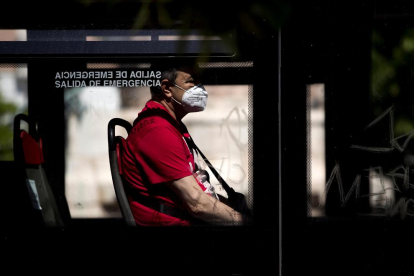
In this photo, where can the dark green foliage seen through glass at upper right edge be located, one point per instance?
(392, 75)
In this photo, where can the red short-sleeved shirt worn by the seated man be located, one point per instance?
(156, 154)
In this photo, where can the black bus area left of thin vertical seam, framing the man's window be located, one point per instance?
(100, 244)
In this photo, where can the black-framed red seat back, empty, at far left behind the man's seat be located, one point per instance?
(28, 153)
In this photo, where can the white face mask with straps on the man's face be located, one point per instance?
(194, 99)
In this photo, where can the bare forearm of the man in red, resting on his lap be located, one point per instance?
(203, 206)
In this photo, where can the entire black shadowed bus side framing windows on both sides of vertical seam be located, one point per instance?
(314, 43)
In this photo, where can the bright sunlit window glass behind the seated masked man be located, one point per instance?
(223, 132)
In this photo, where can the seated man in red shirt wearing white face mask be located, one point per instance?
(165, 186)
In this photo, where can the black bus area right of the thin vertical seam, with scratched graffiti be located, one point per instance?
(332, 44)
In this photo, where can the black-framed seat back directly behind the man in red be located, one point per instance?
(116, 146)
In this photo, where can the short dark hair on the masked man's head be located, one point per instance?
(168, 68)
